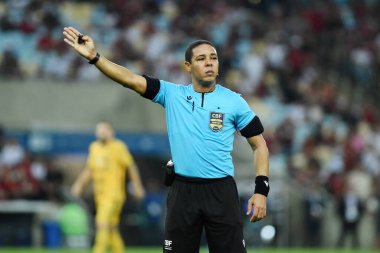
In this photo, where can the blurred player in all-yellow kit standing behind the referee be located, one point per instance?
(108, 162)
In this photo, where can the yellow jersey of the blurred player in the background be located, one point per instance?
(108, 163)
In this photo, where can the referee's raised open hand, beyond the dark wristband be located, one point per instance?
(83, 44)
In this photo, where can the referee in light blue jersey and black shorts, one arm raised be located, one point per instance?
(202, 119)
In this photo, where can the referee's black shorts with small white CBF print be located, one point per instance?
(196, 203)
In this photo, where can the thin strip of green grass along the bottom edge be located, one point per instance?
(158, 250)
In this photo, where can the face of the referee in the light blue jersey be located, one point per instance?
(204, 65)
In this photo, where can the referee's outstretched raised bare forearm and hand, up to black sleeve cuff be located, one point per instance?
(85, 46)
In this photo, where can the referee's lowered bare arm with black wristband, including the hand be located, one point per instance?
(261, 162)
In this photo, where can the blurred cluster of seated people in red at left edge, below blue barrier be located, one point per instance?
(27, 176)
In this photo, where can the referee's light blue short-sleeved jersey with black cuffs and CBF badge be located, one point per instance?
(201, 126)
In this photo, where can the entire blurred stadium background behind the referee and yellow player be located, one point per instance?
(309, 69)
